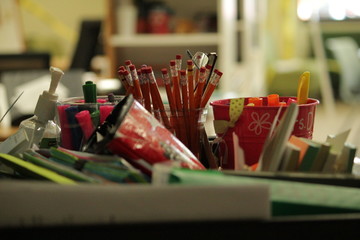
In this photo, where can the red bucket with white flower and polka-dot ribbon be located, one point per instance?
(252, 124)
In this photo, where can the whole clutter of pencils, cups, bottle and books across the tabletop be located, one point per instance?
(119, 139)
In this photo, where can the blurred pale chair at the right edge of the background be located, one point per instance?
(345, 52)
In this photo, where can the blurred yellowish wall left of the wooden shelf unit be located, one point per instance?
(53, 26)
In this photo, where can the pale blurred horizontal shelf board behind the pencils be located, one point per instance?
(161, 40)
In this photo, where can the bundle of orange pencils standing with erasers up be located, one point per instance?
(188, 91)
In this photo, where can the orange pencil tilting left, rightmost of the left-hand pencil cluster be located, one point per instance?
(155, 95)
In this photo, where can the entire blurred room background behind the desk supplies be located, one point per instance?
(262, 46)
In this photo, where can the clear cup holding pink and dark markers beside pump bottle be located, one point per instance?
(78, 119)
